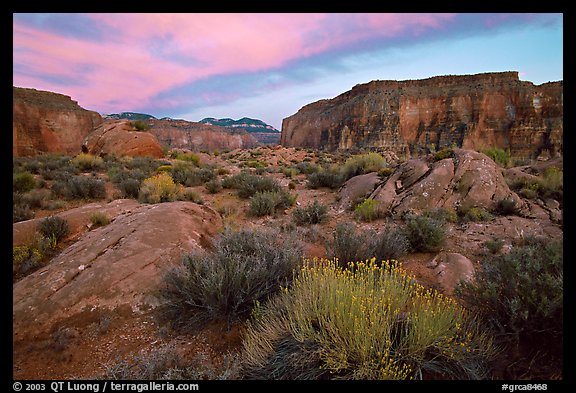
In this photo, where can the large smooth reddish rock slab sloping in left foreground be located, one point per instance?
(117, 267)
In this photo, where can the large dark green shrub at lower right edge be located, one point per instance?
(520, 297)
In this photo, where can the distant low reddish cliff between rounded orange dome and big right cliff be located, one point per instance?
(182, 134)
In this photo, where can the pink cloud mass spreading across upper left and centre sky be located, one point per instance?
(143, 55)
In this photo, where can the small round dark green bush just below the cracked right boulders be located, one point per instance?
(425, 234)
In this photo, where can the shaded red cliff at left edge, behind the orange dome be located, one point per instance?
(46, 122)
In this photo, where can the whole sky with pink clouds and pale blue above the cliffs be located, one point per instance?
(266, 66)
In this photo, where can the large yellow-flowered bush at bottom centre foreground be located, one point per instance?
(368, 321)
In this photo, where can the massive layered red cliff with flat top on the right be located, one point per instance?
(470, 111)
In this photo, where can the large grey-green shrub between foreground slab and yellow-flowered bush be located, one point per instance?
(243, 268)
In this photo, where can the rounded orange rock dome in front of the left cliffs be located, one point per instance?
(121, 138)
